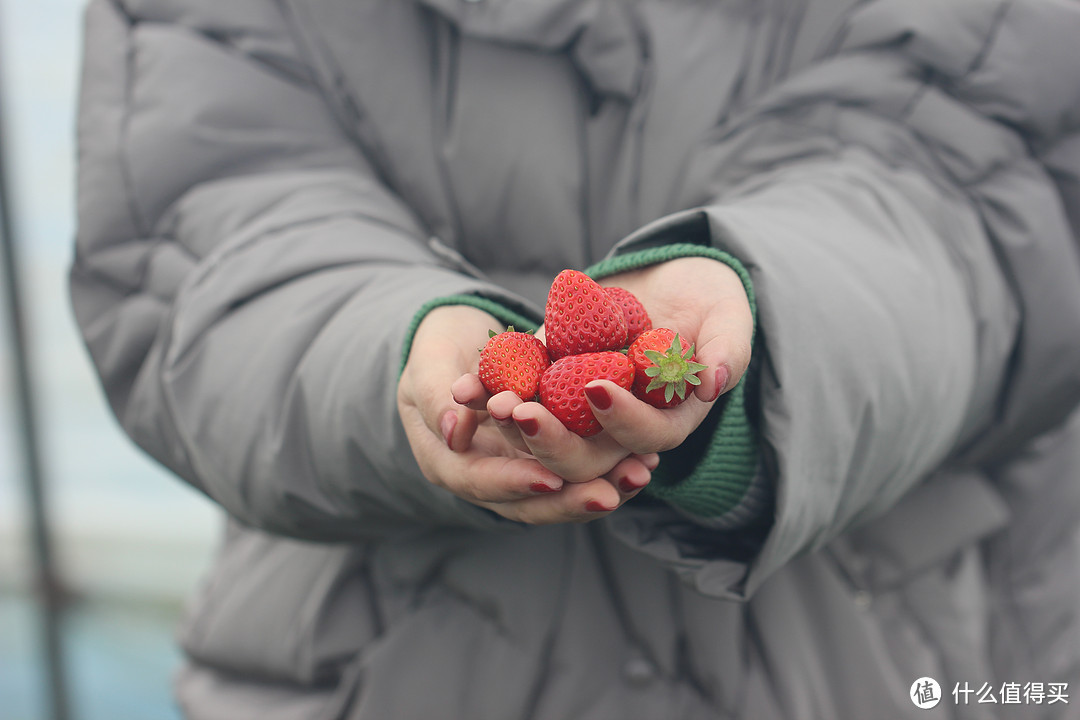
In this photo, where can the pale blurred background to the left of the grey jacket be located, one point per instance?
(129, 540)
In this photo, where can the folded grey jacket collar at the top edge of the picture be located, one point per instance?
(601, 36)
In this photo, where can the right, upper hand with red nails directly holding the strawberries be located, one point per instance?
(705, 302)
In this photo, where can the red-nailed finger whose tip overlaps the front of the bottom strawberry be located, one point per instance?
(639, 427)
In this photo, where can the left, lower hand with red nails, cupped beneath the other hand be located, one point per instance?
(465, 452)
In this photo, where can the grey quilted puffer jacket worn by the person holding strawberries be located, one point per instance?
(272, 194)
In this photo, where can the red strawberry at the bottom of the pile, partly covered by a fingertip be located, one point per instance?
(562, 387)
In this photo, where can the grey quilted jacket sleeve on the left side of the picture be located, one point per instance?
(242, 279)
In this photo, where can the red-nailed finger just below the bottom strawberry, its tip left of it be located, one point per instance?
(570, 456)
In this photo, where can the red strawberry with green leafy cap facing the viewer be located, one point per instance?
(664, 369)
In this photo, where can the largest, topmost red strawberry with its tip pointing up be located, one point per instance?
(582, 318)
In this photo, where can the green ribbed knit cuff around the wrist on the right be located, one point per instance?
(708, 477)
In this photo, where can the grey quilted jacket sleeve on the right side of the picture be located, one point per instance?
(901, 207)
